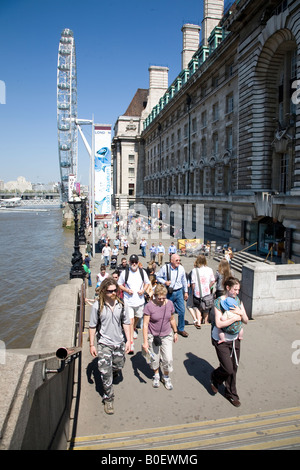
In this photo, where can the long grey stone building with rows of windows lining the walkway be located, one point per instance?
(226, 132)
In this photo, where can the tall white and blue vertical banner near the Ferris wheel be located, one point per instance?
(102, 170)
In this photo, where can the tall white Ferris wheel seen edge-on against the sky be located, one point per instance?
(67, 111)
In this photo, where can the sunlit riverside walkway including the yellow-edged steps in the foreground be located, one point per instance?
(190, 417)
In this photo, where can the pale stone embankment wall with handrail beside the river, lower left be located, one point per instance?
(35, 406)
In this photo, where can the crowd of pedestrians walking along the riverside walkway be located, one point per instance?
(134, 299)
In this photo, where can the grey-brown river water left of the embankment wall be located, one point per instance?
(36, 254)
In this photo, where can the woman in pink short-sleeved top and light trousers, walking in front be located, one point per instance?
(159, 322)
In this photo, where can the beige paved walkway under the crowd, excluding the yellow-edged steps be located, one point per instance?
(268, 378)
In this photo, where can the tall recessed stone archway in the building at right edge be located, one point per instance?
(271, 80)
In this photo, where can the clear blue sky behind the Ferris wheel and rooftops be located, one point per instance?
(116, 42)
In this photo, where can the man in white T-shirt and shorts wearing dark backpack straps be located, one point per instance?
(133, 281)
